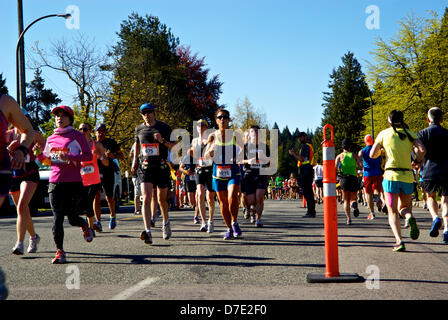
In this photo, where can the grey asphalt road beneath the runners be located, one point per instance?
(269, 263)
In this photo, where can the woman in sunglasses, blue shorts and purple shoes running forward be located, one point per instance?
(224, 151)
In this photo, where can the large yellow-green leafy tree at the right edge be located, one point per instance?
(410, 72)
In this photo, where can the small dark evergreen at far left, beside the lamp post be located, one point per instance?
(39, 101)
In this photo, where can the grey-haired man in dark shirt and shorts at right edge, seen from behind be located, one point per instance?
(435, 172)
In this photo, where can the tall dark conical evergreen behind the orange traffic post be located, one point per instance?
(346, 103)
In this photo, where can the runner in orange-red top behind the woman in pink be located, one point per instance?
(90, 174)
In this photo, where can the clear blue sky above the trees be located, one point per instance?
(277, 53)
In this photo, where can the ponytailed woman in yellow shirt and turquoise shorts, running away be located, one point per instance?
(398, 141)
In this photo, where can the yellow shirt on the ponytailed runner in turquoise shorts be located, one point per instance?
(398, 154)
